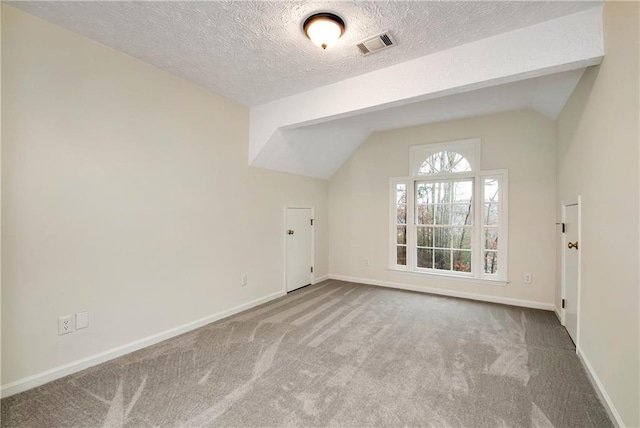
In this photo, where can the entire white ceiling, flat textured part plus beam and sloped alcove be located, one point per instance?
(310, 109)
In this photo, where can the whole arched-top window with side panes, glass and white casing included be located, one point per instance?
(448, 217)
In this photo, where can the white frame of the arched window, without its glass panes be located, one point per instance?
(471, 150)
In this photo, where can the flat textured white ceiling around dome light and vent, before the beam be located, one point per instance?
(255, 52)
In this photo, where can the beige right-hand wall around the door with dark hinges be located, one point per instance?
(598, 159)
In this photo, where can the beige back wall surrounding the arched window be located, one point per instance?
(522, 142)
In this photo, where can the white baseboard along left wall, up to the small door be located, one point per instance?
(56, 373)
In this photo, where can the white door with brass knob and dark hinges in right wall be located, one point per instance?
(571, 248)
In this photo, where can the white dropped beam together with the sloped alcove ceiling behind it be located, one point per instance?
(312, 133)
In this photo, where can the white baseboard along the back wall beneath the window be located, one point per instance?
(451, 293)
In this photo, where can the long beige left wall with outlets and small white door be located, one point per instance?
(126, 193)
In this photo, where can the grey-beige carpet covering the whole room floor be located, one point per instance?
(337, 354)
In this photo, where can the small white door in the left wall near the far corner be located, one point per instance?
(298, 258)
